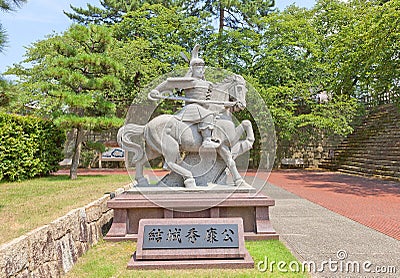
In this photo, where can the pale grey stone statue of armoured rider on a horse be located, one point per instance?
(202, 128)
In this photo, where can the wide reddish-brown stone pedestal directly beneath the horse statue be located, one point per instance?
(132, 206)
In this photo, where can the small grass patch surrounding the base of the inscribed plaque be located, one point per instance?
(109, 259)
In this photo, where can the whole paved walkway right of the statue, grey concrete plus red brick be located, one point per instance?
(305, 219)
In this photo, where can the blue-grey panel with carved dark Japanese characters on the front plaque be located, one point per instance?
(190, 236)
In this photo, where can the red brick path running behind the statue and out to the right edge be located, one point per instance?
(372, 202)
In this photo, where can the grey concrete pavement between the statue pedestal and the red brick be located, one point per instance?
(333, 245)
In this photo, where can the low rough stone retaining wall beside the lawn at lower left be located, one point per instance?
(53, 249)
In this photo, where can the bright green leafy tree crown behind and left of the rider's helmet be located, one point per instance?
(150, 40)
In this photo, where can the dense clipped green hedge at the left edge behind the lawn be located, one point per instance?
(29, 147)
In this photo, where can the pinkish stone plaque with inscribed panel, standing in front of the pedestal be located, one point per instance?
(191, 243)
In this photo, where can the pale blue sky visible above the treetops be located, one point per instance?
(38, 18)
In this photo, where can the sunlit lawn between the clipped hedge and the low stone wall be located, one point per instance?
(27, 205)
